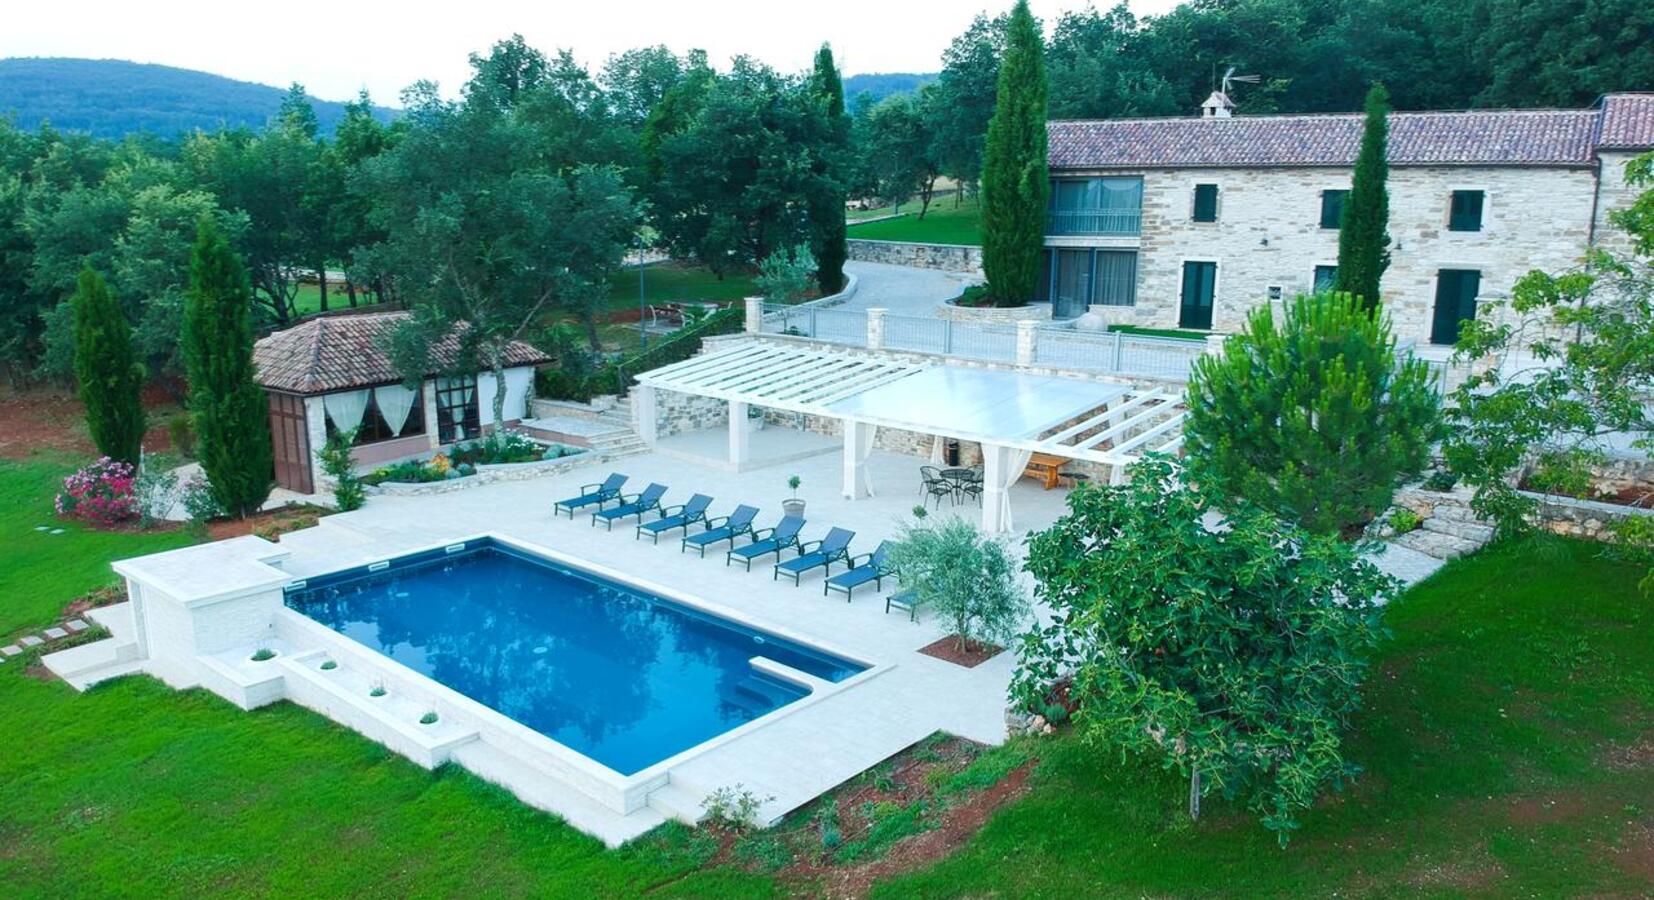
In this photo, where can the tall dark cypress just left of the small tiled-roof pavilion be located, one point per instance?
(229, 409)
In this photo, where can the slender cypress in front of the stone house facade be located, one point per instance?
(1364, 229)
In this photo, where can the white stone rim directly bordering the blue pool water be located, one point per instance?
(621, 793)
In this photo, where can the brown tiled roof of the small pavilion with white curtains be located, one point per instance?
(338, 353)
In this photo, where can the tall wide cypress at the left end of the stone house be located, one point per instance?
(1015, 181)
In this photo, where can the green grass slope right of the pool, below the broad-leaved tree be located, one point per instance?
(1499, 745)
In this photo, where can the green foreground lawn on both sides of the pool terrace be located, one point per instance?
(1508, 744)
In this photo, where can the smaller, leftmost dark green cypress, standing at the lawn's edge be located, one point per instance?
(110, 375)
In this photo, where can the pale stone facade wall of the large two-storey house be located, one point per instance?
(1268, 234)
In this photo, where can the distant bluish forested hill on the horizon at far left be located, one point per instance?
(113, 98)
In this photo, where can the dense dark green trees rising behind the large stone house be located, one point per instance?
(1312, 57)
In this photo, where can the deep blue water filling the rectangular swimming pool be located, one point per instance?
(613, 673)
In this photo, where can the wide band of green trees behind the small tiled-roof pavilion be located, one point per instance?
(530, 189)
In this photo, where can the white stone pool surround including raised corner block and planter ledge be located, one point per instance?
(201, 613)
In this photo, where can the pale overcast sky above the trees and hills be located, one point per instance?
(340, 47)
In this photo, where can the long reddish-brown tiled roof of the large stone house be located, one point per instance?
(1473, 138)
